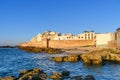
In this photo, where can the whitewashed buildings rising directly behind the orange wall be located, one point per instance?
(87, 35)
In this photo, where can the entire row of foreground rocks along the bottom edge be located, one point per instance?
(38, 74)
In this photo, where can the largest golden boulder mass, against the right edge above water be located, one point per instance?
(97, 57)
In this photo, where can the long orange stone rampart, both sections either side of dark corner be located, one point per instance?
(59, 43)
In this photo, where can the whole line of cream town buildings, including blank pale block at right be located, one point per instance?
(100, 40)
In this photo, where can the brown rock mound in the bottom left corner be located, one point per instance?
(33, 74)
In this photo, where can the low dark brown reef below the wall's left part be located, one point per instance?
(40, 50)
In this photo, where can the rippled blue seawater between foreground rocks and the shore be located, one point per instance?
(13, 60)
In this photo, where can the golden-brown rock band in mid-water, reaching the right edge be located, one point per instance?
(94, 57)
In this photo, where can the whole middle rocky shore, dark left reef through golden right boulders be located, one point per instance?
(88, 56)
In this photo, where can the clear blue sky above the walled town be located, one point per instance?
(20, 20)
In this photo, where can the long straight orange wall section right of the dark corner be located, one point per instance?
(69, 43)
